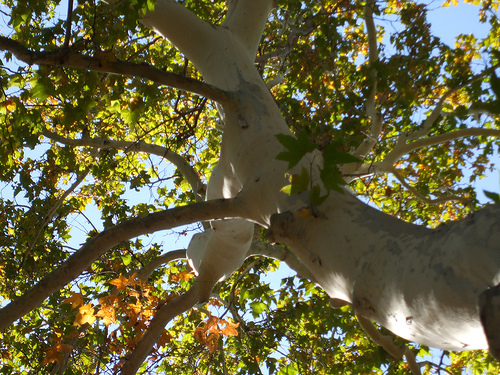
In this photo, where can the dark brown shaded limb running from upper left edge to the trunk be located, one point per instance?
(71, 58)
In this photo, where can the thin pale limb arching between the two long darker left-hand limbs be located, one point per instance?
(139, 146)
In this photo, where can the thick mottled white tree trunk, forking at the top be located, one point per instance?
(421, 284)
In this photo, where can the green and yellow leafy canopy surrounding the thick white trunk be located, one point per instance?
(109, 135)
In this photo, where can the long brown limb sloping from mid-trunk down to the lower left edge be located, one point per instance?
(99, 244)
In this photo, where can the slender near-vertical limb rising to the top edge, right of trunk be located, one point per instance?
(371, 109)
